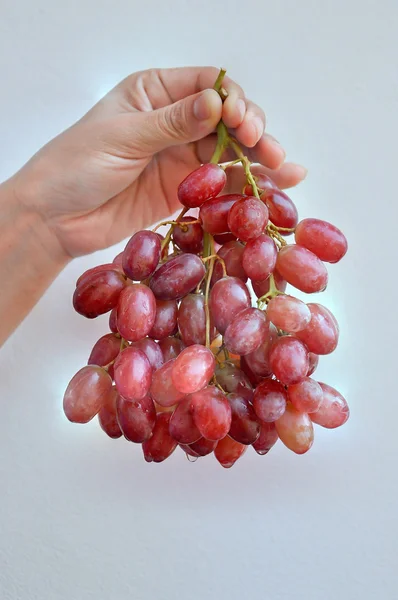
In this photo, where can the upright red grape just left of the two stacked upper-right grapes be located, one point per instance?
(259, 258)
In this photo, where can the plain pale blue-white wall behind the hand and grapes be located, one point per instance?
(84, 517)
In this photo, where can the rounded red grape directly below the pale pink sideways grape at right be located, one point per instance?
(288, 358)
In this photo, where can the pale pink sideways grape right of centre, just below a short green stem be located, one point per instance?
(288, 313)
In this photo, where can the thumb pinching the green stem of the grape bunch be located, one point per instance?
(185, 121)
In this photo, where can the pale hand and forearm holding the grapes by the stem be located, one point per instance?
(116, 171)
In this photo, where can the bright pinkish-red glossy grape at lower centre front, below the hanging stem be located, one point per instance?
(192, 369)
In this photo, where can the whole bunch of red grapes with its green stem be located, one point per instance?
(189, 361)
